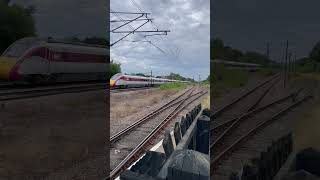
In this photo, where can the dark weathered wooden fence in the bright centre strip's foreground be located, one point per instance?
(188, 160)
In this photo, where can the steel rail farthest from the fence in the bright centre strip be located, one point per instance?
(148, 116)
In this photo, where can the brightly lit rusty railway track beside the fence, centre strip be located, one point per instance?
(137, 138)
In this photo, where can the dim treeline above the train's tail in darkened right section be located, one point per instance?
(220, 51)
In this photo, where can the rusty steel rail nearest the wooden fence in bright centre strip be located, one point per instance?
(143, 146)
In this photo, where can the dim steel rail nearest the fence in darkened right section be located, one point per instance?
(252, 131)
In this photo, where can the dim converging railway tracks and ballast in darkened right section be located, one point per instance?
(228, 133)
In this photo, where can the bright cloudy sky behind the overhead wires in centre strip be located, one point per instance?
(185, 49)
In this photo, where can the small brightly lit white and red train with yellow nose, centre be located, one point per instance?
(121, 80)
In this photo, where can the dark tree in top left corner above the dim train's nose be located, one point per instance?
(16, 22)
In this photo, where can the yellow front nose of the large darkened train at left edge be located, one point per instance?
(6, 66)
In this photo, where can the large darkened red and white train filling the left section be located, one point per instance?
(38, 60)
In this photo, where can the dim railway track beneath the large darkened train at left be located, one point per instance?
(15, 94)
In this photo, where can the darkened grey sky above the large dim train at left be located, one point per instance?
(66, 18)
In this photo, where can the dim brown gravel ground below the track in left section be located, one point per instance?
(43, 135)
